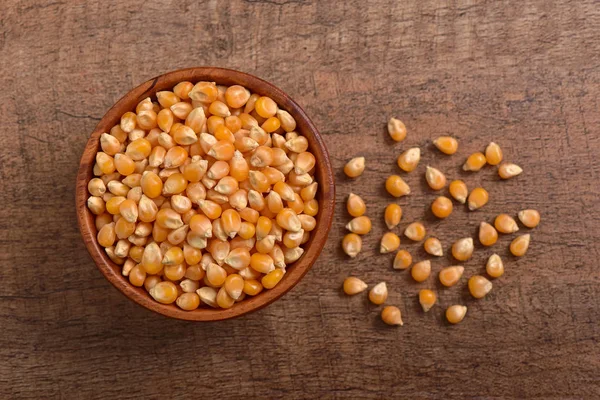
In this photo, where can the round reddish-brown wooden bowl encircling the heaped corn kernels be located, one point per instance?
(325, 193)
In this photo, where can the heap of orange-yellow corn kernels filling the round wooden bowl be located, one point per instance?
(205, 195)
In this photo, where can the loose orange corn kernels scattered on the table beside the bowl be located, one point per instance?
(462, 250)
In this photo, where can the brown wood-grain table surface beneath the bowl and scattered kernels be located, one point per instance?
(524, 74)
